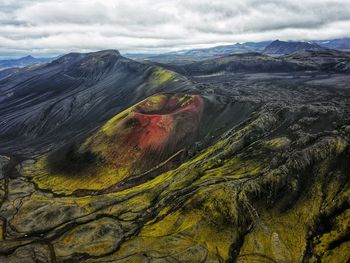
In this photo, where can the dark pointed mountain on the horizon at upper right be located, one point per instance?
(278, 47)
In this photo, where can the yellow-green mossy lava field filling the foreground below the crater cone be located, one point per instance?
(257, 193)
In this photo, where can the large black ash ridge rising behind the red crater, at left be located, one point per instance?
(75, 93)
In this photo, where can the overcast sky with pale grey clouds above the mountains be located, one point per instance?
(52, 27)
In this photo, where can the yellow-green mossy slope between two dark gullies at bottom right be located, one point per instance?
(281, 234)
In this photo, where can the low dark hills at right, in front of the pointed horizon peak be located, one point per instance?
(324, 60)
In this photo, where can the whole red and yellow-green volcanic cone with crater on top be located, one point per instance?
(120, 148)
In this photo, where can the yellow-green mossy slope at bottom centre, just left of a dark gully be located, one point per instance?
(178, 231)
